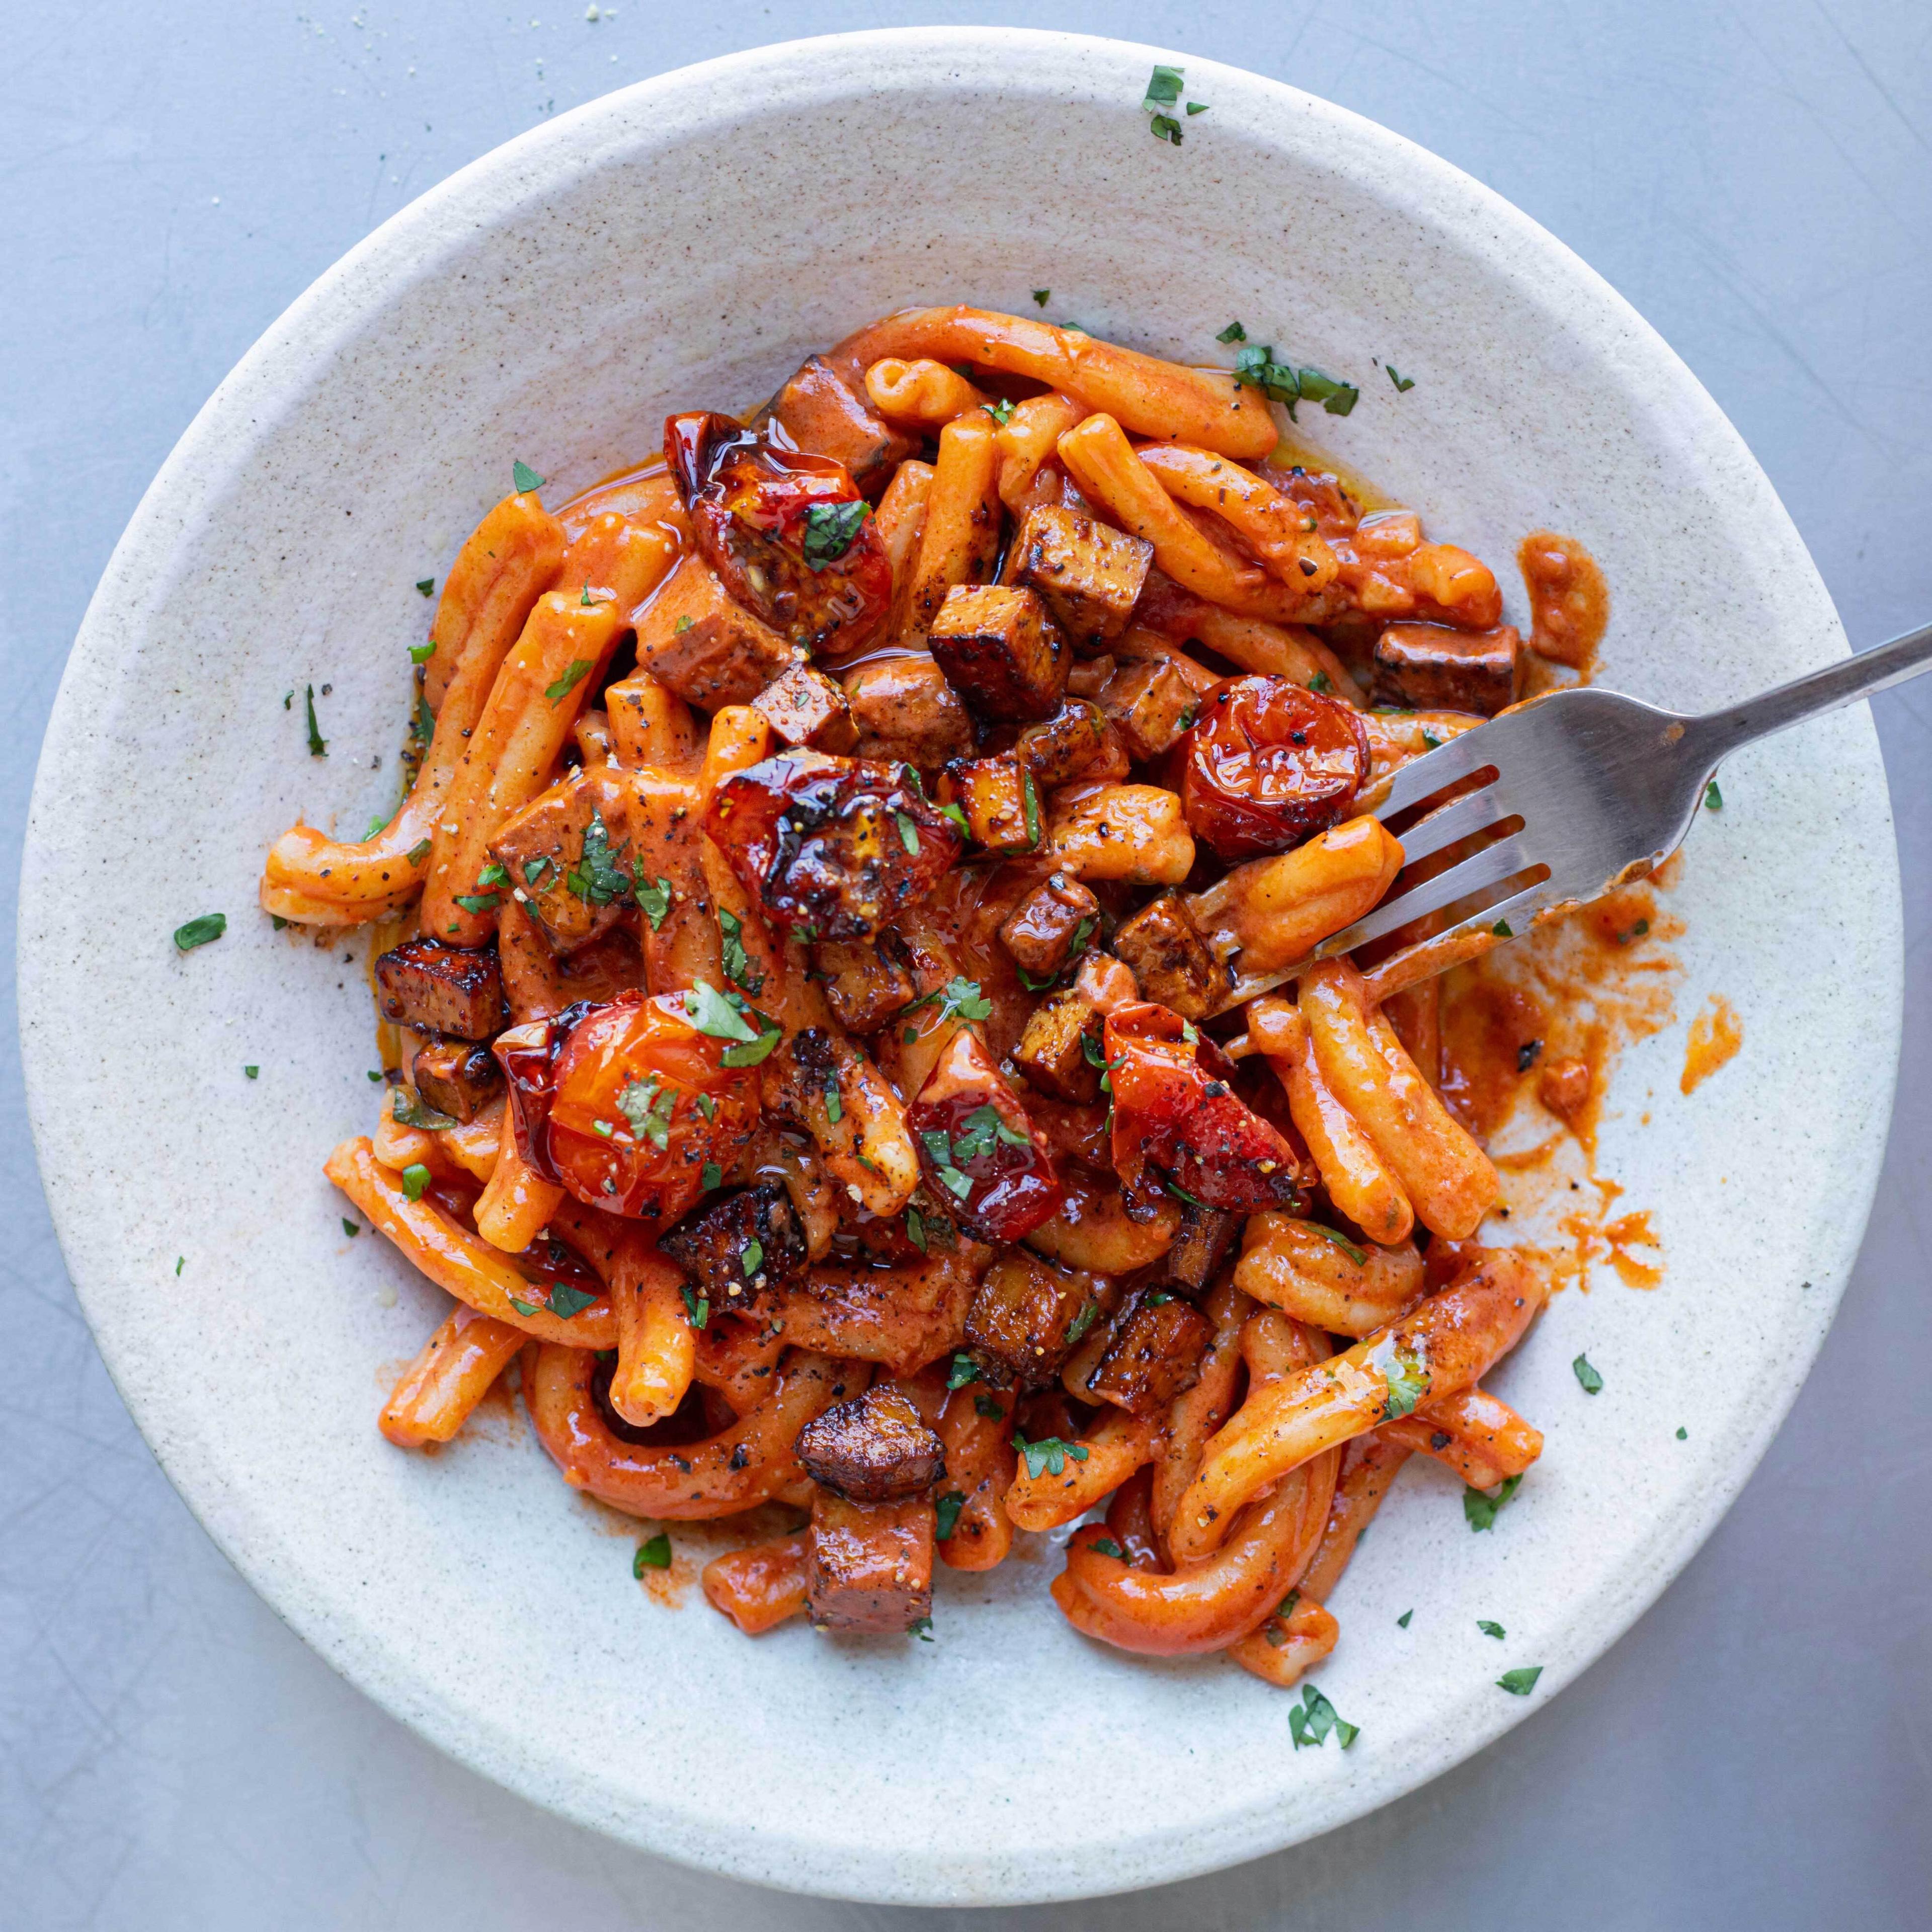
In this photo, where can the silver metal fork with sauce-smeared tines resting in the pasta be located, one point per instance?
(1605, 787)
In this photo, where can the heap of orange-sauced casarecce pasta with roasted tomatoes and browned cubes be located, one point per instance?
(847, 1004)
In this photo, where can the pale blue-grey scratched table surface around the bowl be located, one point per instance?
(1759, 181)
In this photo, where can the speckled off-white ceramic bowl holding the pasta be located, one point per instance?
(681, 244)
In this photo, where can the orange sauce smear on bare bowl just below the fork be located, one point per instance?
(1529, 1038)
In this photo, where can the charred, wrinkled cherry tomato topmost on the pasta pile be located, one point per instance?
(787, 532)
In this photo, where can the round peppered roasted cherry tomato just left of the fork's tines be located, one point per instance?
(1270, 766)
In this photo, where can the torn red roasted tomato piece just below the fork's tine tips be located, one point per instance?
(1179, 1125)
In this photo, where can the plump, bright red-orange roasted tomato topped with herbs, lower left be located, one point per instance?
(625, 1104)
